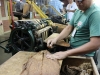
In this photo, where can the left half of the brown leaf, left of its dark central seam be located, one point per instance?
(33, 65)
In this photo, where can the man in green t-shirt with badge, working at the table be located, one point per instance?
(84, 29)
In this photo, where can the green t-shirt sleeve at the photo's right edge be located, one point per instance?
(94, 24)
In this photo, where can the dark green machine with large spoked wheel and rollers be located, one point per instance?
(28, 35)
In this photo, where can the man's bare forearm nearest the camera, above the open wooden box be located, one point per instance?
(84, 49)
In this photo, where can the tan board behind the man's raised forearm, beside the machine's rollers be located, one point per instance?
(61, 42)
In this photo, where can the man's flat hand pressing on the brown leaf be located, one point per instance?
(58, 55)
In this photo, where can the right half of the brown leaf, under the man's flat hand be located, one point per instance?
(50, 67)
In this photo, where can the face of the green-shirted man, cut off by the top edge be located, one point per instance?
(83, 4)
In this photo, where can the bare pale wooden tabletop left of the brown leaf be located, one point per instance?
(14, 65)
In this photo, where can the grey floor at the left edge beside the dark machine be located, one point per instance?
(4, 56)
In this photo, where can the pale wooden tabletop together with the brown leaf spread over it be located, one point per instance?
(30, 63)
